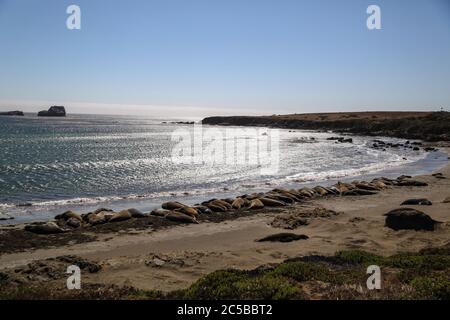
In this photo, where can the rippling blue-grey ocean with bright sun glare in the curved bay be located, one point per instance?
(81, 162)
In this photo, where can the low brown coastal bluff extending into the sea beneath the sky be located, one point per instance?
(428, 126)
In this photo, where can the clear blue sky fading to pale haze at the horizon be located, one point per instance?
(219, 57)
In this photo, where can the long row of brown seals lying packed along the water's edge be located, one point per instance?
(179, 212)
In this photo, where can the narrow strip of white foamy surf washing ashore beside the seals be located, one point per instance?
(46, 212)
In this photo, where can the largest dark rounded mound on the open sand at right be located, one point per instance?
(409, 219)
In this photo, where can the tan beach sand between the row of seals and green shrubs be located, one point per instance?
(175, 257)
